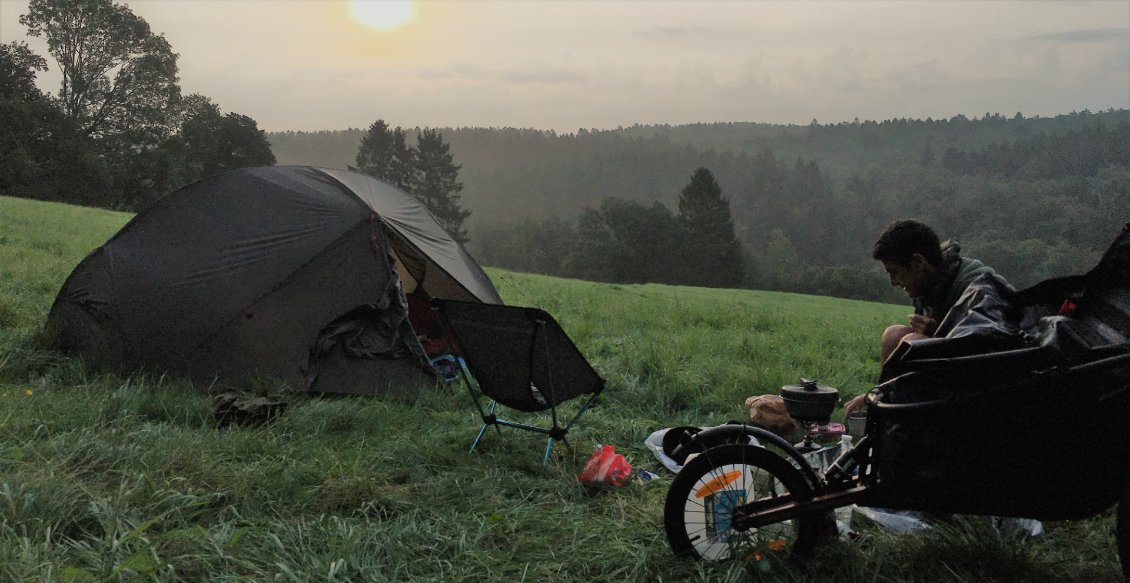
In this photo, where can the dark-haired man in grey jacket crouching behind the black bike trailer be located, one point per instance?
(933, 275)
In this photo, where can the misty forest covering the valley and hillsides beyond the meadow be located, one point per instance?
(1032, 197)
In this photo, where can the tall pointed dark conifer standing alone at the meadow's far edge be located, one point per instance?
(712, 255)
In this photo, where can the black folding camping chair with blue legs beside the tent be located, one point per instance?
(518, 358)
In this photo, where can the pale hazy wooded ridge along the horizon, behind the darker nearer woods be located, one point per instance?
(515, 173)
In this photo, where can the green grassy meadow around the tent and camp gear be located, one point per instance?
(105, 478)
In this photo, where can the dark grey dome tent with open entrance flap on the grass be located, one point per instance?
(298, 274)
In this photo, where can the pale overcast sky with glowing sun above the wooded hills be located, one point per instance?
(564, 65)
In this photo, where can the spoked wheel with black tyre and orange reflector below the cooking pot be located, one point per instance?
(699, 507)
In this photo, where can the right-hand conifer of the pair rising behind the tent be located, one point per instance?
(438, 185)
